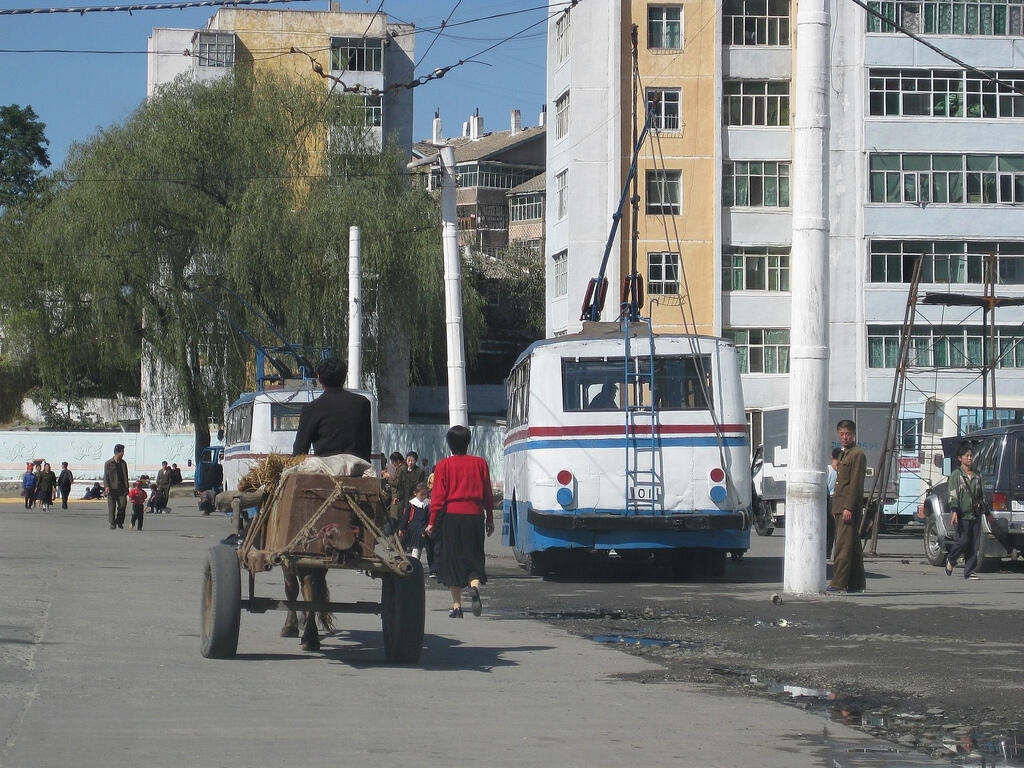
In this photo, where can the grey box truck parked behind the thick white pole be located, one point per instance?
(770, 481)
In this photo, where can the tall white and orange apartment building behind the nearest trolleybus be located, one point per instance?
(925, 160)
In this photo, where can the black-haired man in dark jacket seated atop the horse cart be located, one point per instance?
(338, 421)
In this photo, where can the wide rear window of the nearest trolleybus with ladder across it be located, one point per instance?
(681, 383)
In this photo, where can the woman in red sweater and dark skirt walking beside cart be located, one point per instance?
(462, 499)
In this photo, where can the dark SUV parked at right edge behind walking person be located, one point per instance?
(999, 456)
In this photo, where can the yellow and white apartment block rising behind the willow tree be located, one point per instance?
(363, 50)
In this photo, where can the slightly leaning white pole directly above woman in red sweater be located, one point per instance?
(458, 409)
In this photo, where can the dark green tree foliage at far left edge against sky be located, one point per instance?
(23, 153)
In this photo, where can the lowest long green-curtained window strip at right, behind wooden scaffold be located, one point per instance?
(946, 347)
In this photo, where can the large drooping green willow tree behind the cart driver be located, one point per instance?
(242, 188)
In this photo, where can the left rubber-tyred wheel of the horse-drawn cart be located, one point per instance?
(222, 604)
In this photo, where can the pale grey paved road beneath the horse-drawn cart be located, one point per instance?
(100, 666)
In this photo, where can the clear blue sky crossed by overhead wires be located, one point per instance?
(76, 95)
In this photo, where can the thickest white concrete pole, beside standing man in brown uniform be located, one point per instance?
(805, 487)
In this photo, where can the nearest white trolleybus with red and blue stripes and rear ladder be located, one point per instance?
(627, 446)
